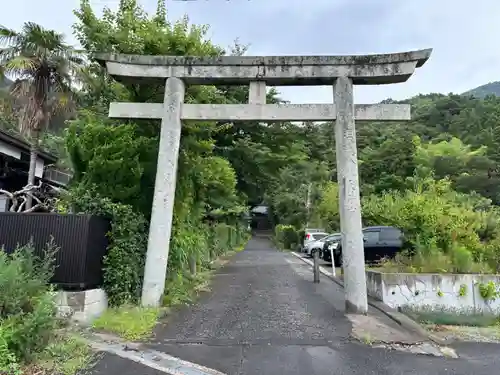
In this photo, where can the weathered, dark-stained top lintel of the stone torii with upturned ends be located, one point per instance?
(274, 70)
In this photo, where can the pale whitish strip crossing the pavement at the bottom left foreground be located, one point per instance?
(147, 357)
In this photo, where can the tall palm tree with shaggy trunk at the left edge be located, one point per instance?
(44, 68)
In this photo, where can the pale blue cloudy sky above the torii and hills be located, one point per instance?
(462, 33)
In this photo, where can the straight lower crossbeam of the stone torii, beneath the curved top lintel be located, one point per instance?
(262, 112)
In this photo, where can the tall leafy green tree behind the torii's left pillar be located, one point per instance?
(119, 158)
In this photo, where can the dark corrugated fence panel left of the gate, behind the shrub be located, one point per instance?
(81, 240)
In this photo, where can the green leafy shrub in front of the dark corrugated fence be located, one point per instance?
(28, 313)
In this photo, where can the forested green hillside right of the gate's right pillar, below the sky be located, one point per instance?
(455, 136)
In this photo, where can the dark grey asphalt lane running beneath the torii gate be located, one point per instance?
(265, 316)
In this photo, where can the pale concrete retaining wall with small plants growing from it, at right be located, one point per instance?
(459, 293)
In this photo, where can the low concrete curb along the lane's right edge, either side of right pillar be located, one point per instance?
(401, 319)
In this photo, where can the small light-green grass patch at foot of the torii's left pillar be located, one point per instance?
(130, 322)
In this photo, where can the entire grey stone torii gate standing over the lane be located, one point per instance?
(342, 72)
